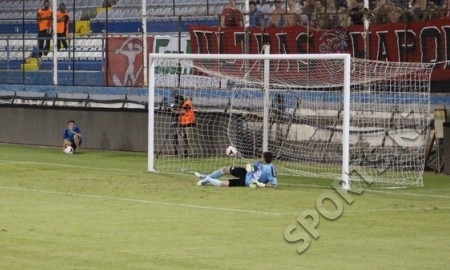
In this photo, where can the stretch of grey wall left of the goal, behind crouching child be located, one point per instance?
(101, 128)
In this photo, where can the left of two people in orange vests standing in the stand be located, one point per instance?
(44, 19)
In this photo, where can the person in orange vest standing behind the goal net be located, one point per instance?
(187, 122)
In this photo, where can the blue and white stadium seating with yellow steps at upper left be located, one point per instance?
(90, 21)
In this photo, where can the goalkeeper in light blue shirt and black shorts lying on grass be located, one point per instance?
(260, 174)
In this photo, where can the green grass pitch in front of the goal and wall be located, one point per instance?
(102, 210)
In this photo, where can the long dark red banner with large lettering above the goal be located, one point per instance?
(426, 42)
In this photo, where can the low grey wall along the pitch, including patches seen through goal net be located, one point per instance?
(106, 129)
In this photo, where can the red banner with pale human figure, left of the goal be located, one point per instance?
(125, 60)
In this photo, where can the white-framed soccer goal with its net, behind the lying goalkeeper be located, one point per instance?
(322, 115)
